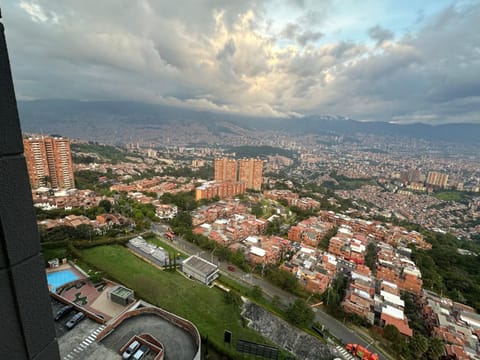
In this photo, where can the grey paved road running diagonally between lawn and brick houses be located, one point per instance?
(335, 327)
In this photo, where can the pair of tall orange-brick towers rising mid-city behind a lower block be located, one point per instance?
(250, 171)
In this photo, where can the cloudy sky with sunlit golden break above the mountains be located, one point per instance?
(395, 61)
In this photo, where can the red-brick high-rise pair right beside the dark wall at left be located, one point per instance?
(49, 160)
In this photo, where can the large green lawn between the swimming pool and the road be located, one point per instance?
(205, 307)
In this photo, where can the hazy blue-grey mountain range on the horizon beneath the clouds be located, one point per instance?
(112, 122)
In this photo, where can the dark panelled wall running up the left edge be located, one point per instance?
(26, 323)
